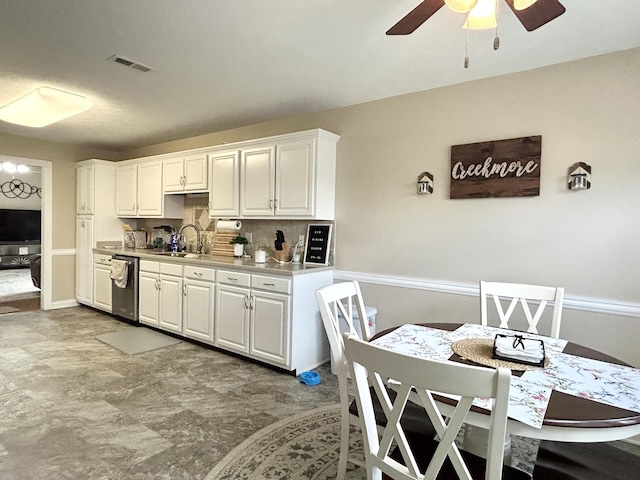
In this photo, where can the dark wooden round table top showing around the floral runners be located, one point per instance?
(566, 410)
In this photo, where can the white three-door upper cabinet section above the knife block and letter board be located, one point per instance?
(288, 176)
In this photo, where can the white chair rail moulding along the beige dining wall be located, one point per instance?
(587, 304)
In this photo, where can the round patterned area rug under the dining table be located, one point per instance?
(305, 447)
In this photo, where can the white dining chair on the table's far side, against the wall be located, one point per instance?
(517, 293)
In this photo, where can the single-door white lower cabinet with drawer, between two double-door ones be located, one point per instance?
(198, 301)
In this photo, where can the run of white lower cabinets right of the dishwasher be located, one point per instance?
(252, 314)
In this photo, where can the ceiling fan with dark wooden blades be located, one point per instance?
(532, 17)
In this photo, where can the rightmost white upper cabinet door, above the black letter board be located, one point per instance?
(295, 178)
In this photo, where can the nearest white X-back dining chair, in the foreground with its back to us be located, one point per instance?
(416, 456)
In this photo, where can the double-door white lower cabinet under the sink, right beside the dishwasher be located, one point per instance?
(160, 295)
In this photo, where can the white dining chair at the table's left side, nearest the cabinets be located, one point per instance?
(344, 300)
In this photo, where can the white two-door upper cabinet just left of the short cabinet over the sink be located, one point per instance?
(139, 191)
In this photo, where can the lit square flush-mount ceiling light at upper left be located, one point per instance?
(44, 106)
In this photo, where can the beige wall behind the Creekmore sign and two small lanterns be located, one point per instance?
(586, 111)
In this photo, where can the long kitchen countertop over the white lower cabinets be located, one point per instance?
(246, 264)
